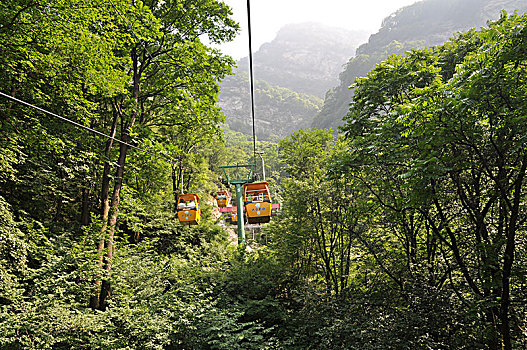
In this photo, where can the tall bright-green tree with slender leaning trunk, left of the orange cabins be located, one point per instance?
(174, 81)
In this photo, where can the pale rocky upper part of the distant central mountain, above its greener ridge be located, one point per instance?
(305, 57)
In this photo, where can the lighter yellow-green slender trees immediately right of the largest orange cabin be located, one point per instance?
(317, 227)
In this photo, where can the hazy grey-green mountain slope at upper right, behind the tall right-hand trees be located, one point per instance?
(426, 23)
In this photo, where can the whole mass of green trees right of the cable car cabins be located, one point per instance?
(419, 214)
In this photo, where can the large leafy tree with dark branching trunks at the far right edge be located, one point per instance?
(450, 145)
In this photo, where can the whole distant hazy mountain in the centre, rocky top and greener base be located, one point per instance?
(292, 73)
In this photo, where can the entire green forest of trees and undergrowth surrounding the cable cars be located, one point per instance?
(405, 232)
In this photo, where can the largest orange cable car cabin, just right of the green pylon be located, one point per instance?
(257, 202)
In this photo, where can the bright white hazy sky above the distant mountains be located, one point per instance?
(268, 16)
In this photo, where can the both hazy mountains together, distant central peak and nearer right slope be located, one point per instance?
(309, 62)
